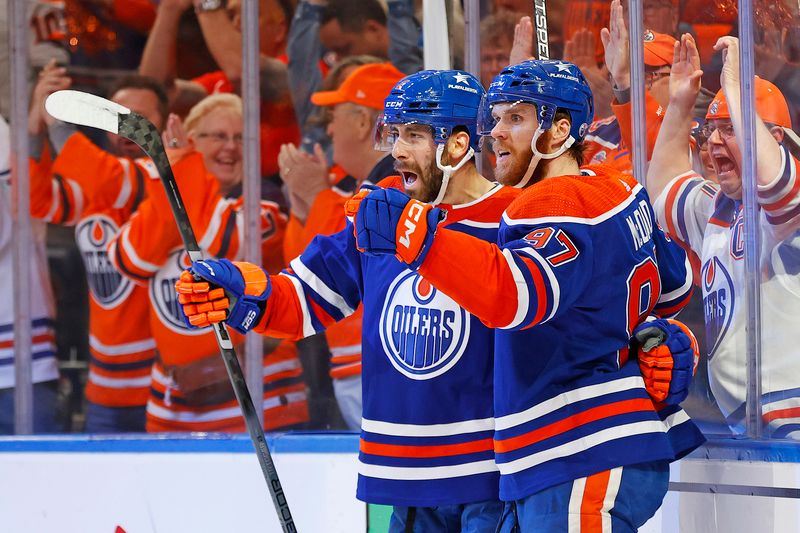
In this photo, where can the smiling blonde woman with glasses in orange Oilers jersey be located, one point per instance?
(190, 387)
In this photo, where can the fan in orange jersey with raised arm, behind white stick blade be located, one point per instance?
(97, 191)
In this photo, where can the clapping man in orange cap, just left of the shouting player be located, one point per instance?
(355, 106)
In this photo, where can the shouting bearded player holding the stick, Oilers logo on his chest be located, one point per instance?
(427, 426)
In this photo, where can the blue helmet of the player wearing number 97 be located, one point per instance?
(549, 85)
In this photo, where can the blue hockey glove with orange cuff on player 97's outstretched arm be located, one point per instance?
(387, 221)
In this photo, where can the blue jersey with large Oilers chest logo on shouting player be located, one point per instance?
(426, 432)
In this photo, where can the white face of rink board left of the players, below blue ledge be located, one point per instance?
(174, 492)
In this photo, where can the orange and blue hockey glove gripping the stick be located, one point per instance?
(207, 302)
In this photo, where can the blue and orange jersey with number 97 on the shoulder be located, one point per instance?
(579, 264)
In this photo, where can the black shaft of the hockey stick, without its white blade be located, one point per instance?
(139, 130)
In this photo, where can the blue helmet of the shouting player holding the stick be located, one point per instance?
(442, 99)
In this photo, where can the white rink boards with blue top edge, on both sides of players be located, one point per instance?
(147, 484)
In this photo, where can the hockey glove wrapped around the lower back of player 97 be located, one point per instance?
(668, 355)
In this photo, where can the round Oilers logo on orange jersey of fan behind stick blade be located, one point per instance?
(92, 235)
